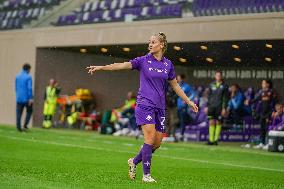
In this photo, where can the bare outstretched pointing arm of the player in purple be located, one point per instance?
(110, 67)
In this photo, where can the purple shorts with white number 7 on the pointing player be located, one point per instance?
(150, 115)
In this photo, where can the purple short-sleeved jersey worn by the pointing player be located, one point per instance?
(153, 80)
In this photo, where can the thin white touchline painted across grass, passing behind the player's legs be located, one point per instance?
(129, 152)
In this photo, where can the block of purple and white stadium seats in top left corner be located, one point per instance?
(15, 13)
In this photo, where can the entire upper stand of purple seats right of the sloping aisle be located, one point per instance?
(95, 11)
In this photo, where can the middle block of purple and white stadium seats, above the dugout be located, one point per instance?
(122, 10)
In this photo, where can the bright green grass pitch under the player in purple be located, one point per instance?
(76, 159)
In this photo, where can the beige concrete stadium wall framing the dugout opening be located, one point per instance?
(17, 47)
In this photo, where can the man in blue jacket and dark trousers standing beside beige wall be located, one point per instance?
(24, 96)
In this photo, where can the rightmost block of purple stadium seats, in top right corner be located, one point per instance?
(228, 7)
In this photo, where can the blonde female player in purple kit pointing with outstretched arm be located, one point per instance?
(155, 70)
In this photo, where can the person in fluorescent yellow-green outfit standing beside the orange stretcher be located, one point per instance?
(50, 102)
